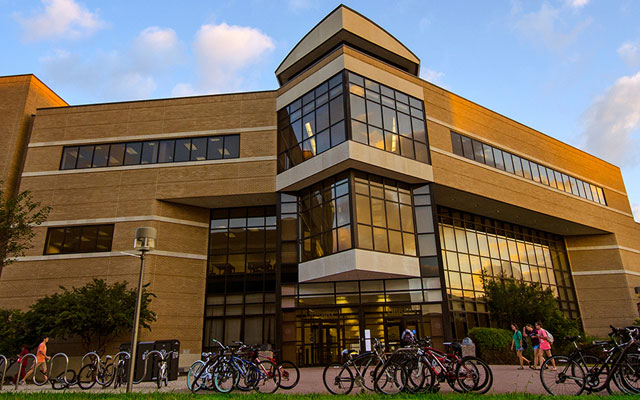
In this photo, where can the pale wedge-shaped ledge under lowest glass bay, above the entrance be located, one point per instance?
(358, 264)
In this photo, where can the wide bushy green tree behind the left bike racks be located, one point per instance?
(96, 313)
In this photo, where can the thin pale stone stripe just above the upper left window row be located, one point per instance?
(172, 135)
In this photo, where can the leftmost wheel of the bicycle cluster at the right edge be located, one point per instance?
(566, 378)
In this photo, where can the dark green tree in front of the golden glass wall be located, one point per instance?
(511, 300)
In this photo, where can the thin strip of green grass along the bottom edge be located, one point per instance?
(254, 396)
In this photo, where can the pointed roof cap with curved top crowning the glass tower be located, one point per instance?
(346, 26)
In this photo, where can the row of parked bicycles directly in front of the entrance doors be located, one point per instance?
(416, 368)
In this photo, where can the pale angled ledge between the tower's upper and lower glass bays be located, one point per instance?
(353, 155)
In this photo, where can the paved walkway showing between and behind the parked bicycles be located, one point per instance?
(506, 379)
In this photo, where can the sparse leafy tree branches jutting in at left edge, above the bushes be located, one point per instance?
(18, 215)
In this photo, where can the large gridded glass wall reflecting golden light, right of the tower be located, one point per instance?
(475, 246)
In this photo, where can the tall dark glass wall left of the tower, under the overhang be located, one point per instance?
(241, 300)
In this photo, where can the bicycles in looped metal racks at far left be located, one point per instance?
(107, 371)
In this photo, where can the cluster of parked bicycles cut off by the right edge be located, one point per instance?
(594, 368)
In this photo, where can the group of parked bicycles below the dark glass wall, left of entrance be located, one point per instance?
(242, 367)
